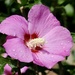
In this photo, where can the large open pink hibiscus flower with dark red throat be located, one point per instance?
(41, 39)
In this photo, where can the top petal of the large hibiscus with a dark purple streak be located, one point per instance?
(41, 20)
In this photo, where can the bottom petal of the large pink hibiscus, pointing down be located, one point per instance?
(48, 60)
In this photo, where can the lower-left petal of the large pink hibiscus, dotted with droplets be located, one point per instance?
(16, 49)
